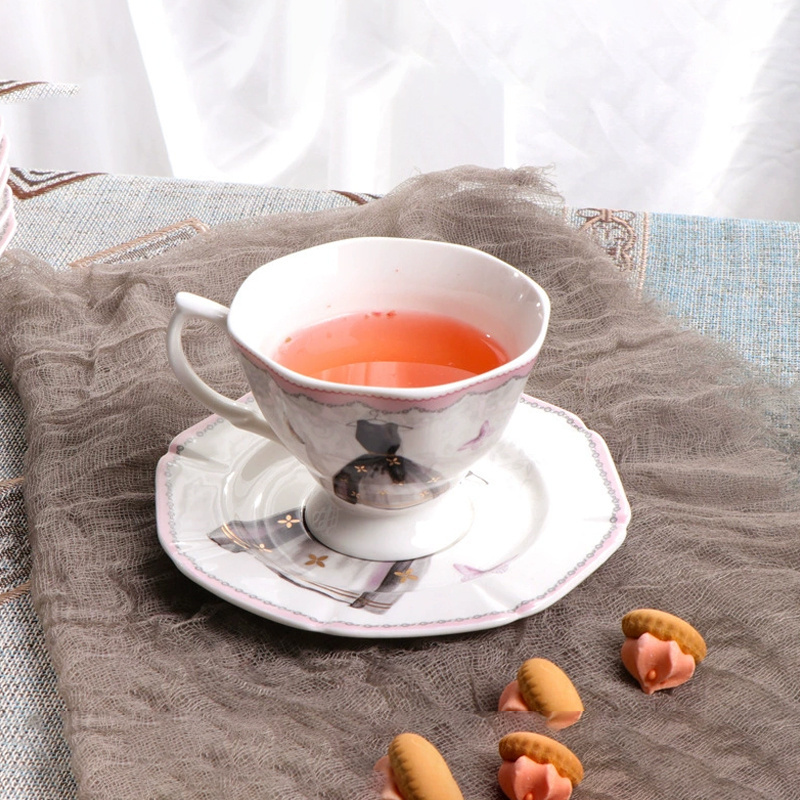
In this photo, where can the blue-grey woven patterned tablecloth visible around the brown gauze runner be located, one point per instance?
(735, 280)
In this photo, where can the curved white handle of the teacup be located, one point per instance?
(192, 305)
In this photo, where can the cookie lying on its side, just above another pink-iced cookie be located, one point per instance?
(545, 689)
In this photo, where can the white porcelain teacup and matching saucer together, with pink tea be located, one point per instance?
(368, 509)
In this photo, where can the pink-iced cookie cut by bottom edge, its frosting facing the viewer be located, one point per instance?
(536, 767)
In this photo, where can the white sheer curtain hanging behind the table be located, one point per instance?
(688, 106)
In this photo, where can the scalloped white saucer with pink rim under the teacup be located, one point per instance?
(548, 510)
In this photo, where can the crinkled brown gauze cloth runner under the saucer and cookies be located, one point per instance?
(173, 693)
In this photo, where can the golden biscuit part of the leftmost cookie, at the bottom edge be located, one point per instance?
(420, 771)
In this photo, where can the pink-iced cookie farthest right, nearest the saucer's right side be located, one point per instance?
(660, 649)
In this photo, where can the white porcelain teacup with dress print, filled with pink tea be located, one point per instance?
(388, 460)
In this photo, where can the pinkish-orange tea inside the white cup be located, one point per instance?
(395, 348)
